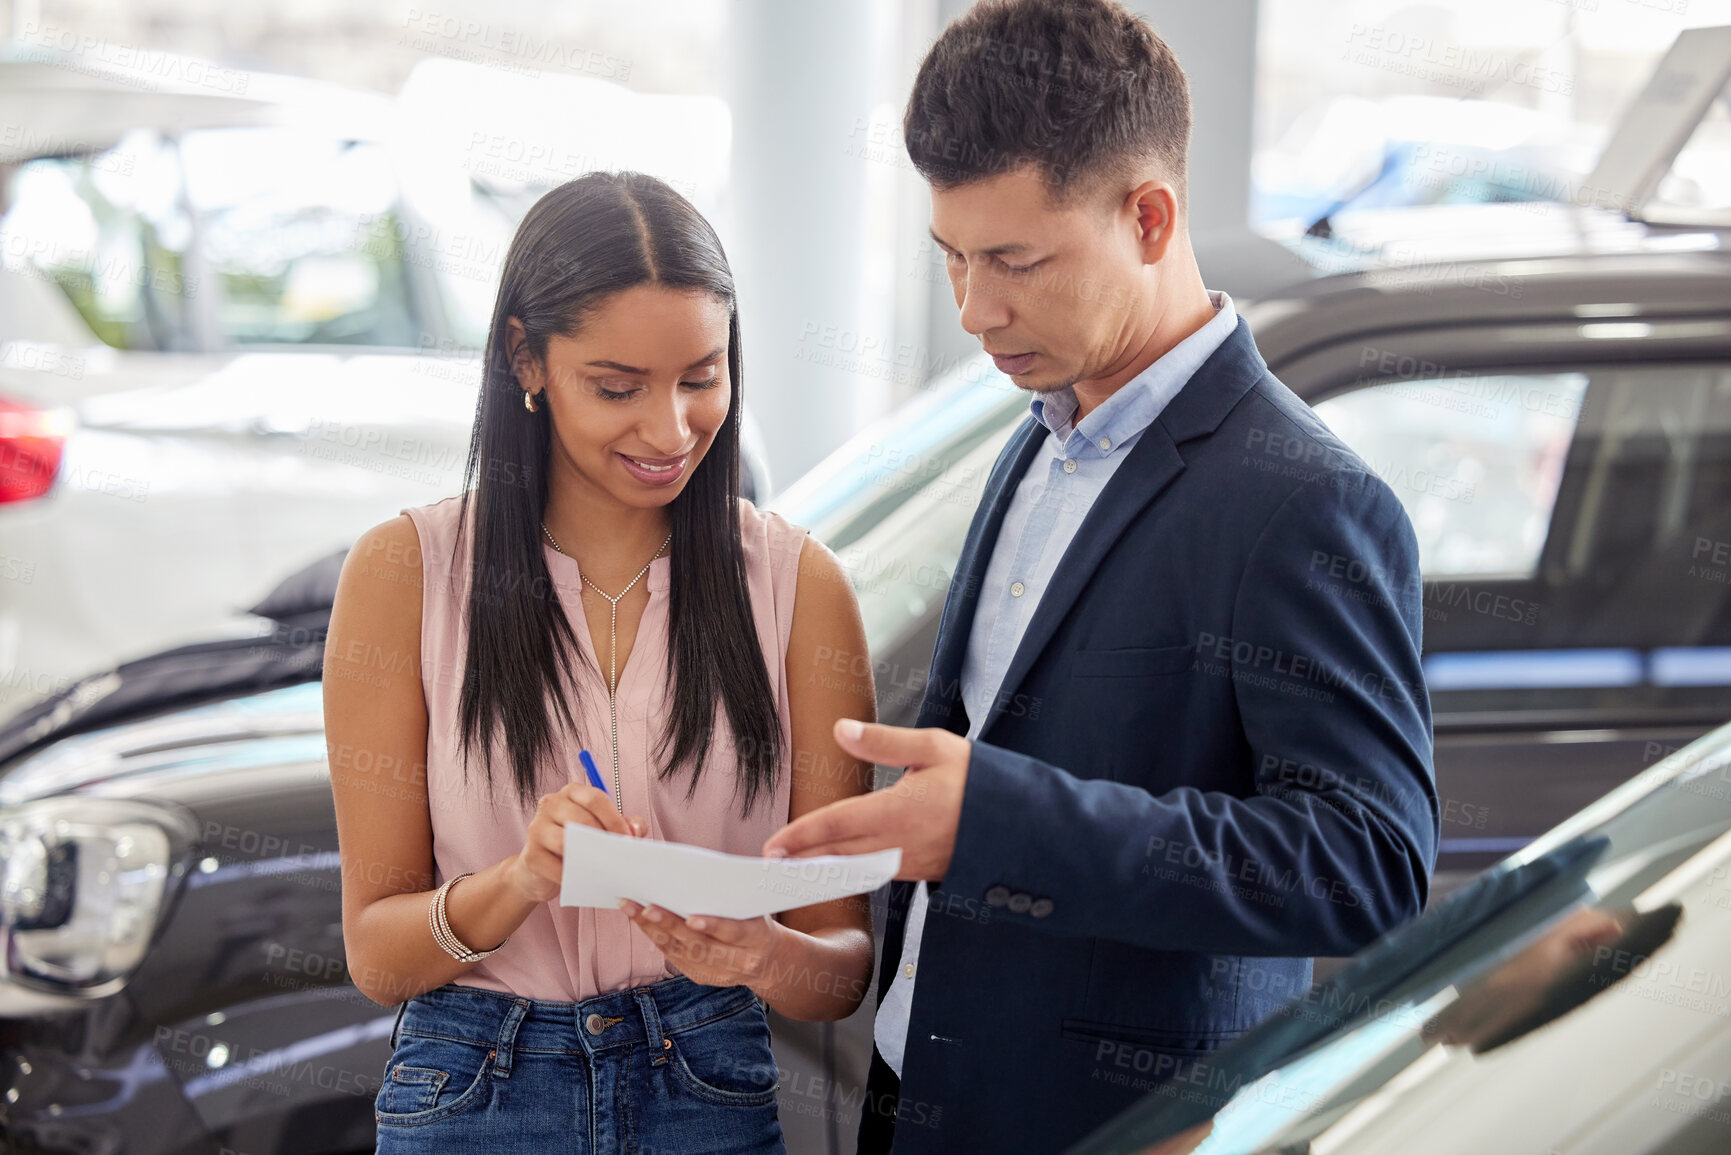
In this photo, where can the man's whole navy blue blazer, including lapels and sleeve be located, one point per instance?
(1211, 759)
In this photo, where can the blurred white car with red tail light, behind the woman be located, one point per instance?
(241, 323)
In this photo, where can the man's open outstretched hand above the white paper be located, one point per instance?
(920, 813)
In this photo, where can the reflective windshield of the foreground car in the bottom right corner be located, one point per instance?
(1578, 997)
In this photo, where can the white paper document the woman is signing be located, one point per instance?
(603, 868)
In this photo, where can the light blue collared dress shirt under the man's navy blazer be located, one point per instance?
(1039, 526)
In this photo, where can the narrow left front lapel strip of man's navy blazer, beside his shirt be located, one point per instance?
(937, 707)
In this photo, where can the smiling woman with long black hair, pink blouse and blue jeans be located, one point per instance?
(619, 598)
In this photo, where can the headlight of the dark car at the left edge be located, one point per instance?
(84, 886)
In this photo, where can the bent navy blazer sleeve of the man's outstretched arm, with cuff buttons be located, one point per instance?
(1337, 841)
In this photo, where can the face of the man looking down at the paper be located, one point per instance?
(1052, 292)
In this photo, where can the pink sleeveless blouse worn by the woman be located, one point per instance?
(577, 953)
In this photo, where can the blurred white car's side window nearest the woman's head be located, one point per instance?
(300, 236)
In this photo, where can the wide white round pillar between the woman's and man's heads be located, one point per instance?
(799, 82)
